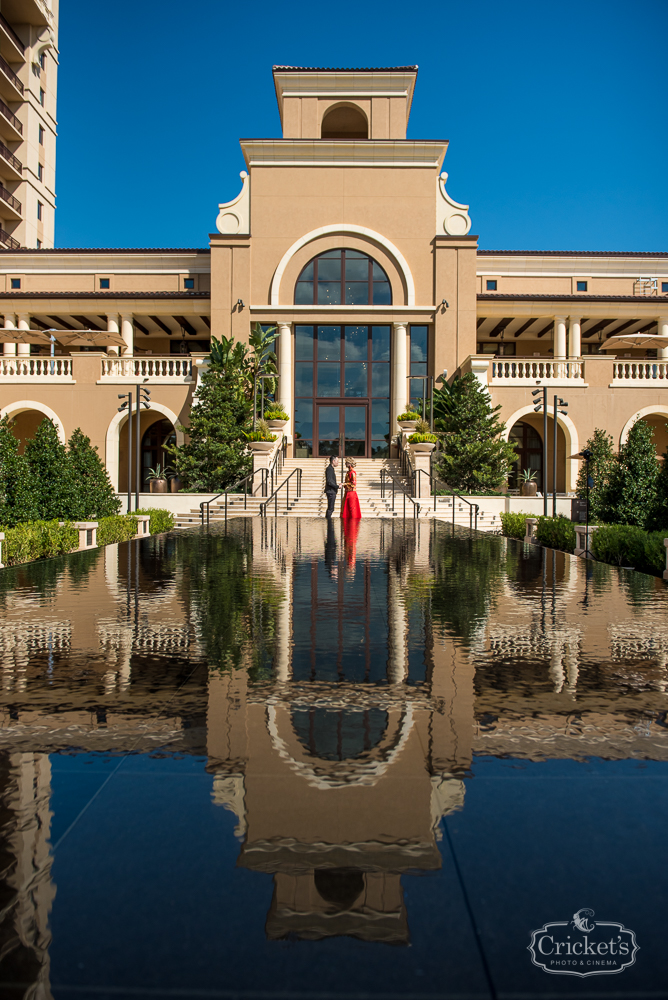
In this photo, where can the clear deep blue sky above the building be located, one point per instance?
(556, 112)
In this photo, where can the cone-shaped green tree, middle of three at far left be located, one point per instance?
(47, 457)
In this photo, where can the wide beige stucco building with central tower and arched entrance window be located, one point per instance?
(344, 236)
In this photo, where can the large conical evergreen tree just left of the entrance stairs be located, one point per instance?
(215, 455)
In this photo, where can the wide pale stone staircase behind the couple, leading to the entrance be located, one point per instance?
(313, 503)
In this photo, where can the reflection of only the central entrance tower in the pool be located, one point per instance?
(341, 767)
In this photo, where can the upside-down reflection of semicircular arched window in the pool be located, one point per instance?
(339, 734)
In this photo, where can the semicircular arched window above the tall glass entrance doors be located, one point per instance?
(343, 277)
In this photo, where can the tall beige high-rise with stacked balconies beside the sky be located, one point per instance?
(28, 78)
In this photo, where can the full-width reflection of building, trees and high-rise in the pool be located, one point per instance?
(339, 683)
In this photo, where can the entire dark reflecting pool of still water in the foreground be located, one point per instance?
(286, 762)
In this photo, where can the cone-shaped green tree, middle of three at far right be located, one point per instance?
(630, 496)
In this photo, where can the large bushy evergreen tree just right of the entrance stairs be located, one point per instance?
(476, 457)
